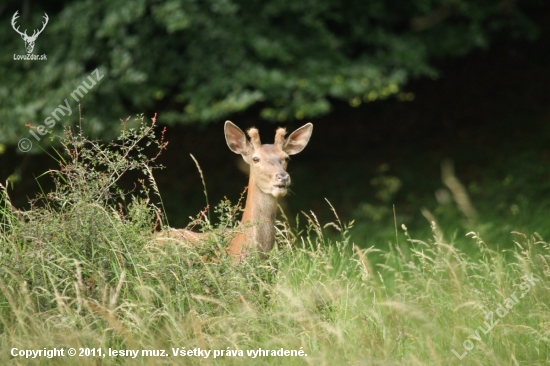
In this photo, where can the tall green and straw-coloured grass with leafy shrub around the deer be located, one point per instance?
(82, 269)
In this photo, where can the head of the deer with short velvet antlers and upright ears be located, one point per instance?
(268, 162)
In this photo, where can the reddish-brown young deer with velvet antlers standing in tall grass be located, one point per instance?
(268, 181)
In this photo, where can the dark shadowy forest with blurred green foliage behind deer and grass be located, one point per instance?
(458, 81)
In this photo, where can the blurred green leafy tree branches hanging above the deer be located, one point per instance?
(199, 61)
